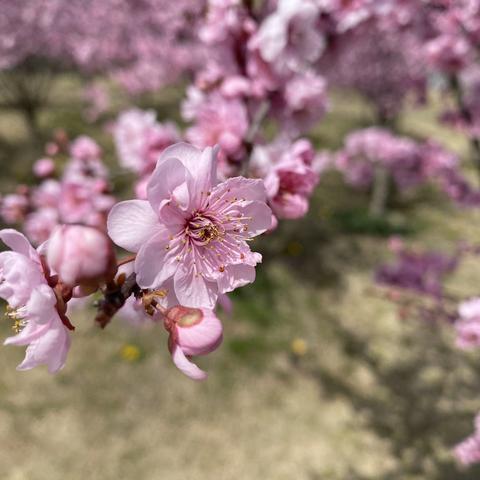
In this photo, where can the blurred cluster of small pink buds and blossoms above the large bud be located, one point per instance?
(81, 194)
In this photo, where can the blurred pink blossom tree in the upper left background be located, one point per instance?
(142, 45)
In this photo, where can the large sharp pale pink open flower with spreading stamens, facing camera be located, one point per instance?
(191, 229)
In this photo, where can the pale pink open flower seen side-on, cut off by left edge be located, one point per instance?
(32, 305)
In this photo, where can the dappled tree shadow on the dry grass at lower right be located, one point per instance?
(415, 404)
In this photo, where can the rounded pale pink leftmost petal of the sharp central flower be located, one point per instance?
(132, 223)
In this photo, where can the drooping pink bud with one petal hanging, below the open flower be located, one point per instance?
(193, 331)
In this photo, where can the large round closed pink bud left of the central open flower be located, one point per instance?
(81, 255)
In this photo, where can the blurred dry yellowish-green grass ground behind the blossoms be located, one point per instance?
(373, 398)
